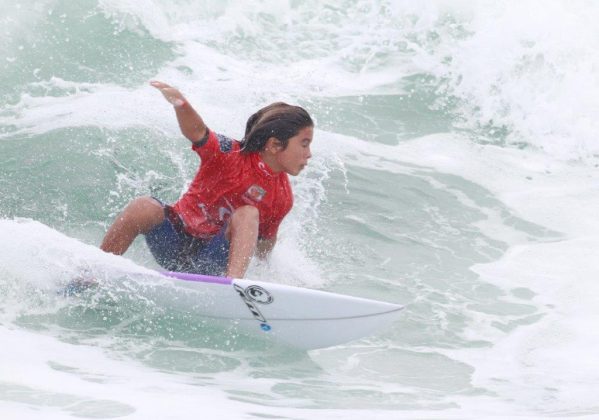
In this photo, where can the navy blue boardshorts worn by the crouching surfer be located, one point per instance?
(176, 250)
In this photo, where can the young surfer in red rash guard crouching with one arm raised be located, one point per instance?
(237, 200)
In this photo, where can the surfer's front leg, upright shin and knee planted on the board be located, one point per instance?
(242, 234)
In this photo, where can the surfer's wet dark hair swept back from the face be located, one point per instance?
(279, 120)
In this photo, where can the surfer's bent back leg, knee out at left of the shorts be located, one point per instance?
(140, 216)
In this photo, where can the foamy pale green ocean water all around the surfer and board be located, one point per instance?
(454, 170)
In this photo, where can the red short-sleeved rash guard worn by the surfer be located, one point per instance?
(228, 179)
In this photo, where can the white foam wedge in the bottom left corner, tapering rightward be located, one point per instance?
(67, 380)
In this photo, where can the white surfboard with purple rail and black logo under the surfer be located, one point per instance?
(295, 316)
